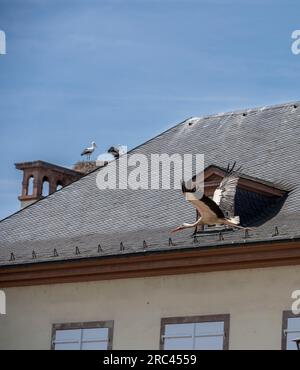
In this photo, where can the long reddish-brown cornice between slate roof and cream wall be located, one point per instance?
(171, 262)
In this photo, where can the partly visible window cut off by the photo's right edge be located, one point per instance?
(290, 330)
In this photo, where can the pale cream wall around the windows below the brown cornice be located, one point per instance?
(255, 300)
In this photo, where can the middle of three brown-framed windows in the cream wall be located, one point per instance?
(195, 333)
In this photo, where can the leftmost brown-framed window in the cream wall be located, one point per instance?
(83, 336)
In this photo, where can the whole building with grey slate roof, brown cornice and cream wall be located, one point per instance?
(91, 269)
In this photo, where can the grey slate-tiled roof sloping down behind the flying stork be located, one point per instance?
(265, 141)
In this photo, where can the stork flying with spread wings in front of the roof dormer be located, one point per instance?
(220, 209)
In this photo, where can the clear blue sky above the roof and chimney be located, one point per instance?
(121, 71)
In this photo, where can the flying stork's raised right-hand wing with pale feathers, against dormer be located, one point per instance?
(224, 195)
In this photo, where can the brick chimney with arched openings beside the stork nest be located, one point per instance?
(36, 175)
